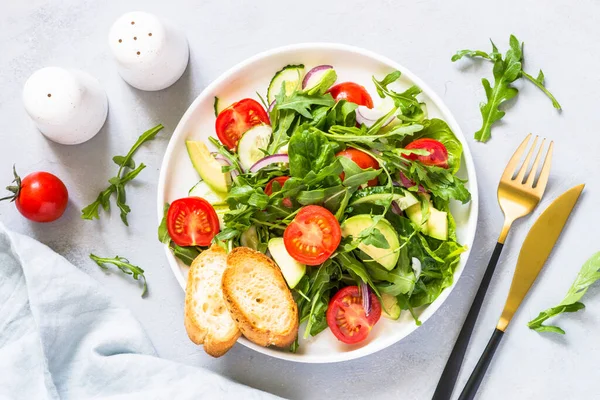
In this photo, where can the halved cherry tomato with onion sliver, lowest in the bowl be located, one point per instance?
(347, 318)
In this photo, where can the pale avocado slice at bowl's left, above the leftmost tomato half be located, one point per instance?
(207, 167)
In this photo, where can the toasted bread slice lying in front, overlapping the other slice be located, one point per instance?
(258, 298)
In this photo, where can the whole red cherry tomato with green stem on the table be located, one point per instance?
(40, 196)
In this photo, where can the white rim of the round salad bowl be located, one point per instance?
(448, 118)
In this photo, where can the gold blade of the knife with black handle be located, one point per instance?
(536, 248)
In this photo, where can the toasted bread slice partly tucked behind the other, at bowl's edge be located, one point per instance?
(207, 320)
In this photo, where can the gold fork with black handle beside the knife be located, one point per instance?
(519, 192)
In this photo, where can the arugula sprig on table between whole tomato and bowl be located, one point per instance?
(117, 182)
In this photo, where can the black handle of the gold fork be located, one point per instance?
(447, 381)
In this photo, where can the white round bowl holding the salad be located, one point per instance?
(352, 64)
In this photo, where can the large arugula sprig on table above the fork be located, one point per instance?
(506, 70)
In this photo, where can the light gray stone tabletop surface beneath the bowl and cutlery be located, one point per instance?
(561, 37)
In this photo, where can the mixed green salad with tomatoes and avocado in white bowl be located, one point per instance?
(349, 194)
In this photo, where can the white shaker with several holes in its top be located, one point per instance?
(151, 54)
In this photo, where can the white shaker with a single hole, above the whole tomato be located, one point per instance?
(68, 106)
